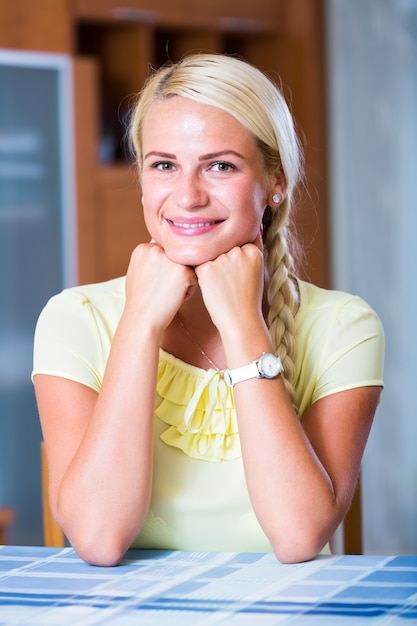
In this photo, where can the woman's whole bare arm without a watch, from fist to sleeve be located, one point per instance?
(99, 446)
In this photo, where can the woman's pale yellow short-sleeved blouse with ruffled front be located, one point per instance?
(199, 498)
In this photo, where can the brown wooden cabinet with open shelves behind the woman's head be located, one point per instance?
(114, 43)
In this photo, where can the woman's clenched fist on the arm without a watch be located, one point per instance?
(155, 286)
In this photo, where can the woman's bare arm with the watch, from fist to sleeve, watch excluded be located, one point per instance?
(301, 477)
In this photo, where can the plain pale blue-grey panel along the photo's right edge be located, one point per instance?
(372, 56)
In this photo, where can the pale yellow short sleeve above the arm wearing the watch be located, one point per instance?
(340, 345)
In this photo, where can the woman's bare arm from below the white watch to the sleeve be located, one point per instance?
(302, 477)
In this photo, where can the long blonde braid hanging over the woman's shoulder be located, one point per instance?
(282, 294)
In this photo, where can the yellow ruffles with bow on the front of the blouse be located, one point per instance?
(199, 408)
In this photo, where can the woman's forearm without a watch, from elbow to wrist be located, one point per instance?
(104, 495)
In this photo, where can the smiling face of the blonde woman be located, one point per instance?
(203, 180)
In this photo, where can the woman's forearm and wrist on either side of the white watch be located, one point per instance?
(291, 492)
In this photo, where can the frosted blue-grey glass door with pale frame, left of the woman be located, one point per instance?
(36, 256)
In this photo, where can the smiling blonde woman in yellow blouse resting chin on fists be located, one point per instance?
(165, 425)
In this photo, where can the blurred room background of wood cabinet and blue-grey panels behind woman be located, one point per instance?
(70, 208)
